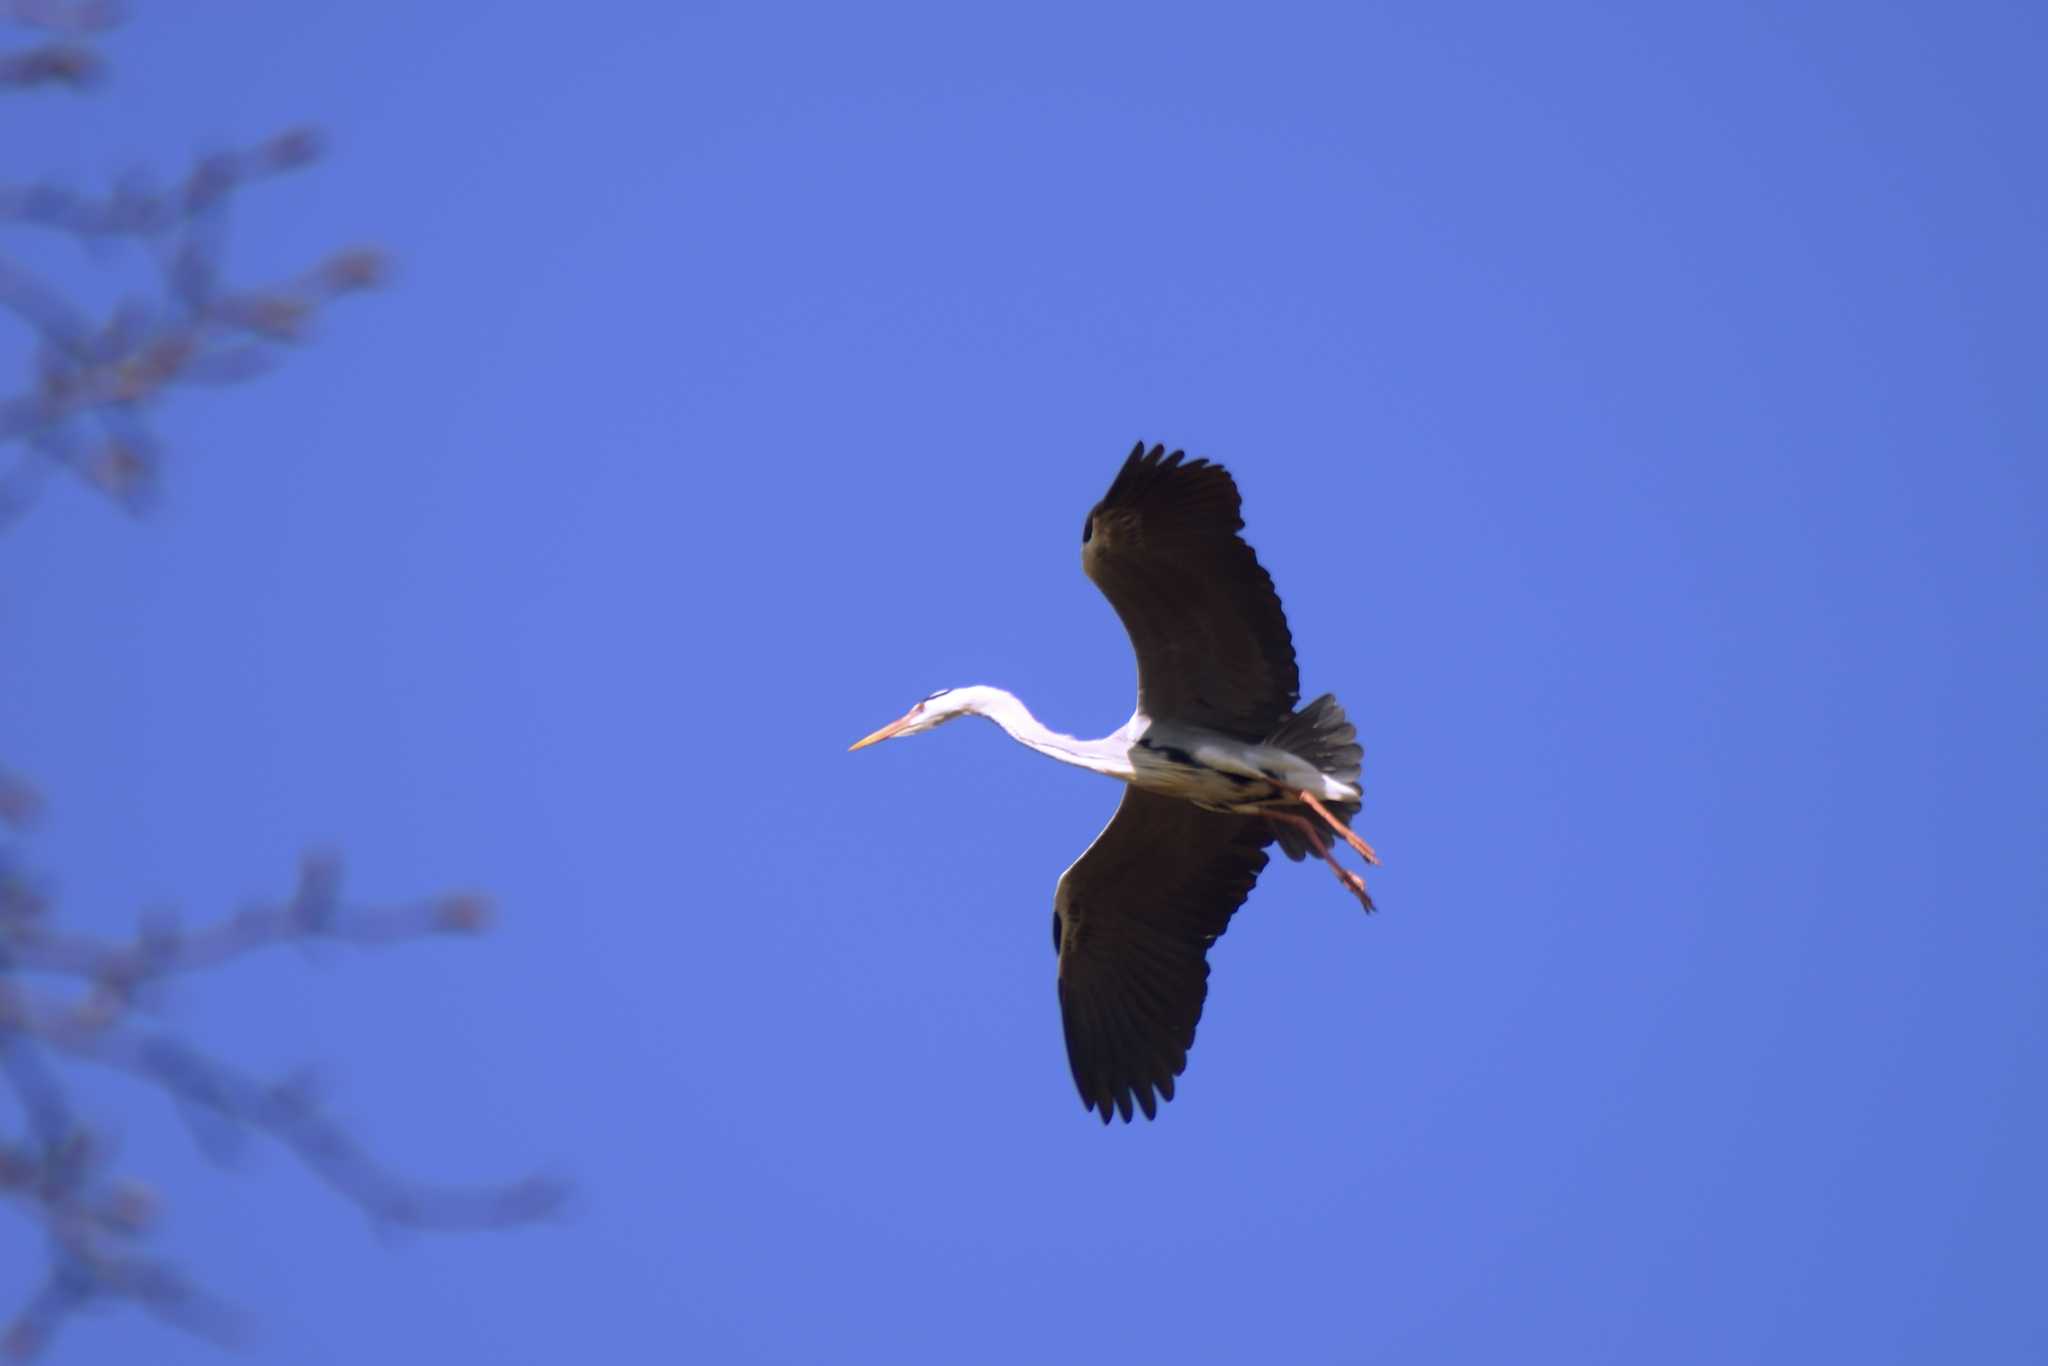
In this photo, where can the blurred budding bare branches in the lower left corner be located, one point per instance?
(60, 1175)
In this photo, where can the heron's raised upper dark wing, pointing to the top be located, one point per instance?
(1203, 615)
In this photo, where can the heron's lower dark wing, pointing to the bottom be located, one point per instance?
(1134, 921)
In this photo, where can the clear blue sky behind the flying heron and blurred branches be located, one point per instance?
(1639, 415)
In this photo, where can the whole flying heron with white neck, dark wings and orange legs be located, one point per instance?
(1218, 765)
